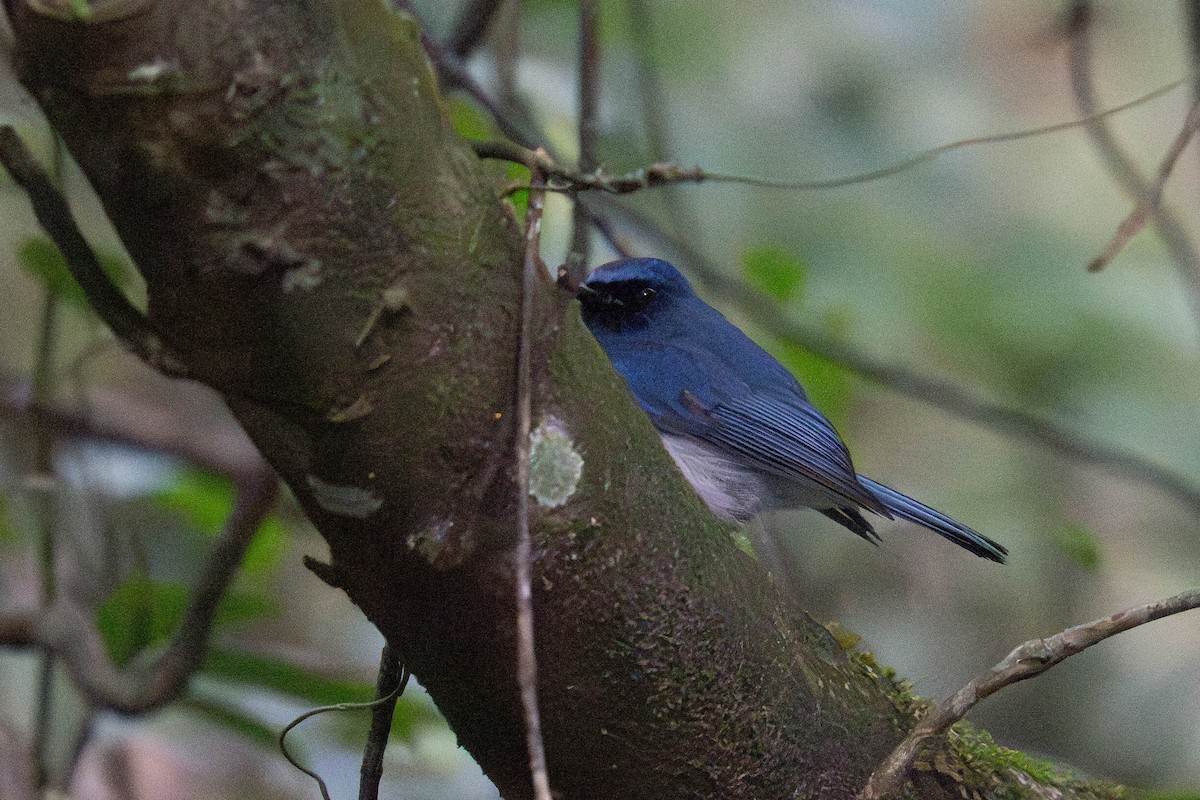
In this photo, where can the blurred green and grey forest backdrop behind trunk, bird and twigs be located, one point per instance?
(970, 269)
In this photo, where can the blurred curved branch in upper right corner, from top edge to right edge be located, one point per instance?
(1125, 172)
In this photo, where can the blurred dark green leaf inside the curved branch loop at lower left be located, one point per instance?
(139, 615)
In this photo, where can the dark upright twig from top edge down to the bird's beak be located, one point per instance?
(590, 100)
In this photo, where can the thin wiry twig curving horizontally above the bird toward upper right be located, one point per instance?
(560, 178)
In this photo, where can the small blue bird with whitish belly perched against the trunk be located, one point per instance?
(736, 422)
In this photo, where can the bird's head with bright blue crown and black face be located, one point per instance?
(628, 296)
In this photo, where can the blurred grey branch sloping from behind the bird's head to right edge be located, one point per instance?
(939, 394)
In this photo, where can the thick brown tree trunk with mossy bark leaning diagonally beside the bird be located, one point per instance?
(322, 249)
